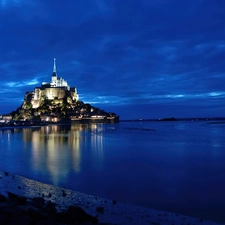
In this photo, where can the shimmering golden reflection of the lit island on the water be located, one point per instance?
(51, 151)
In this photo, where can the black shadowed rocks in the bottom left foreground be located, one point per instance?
(15, 209)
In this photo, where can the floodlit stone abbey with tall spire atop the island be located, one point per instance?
(58, 88)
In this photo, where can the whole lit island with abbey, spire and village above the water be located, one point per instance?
(54, 102)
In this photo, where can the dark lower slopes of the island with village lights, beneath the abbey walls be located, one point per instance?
(65, 109)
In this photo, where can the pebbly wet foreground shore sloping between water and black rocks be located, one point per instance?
(107, 211)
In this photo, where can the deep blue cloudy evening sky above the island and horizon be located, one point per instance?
(137, 58)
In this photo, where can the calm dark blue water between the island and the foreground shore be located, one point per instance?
(178, 167)
